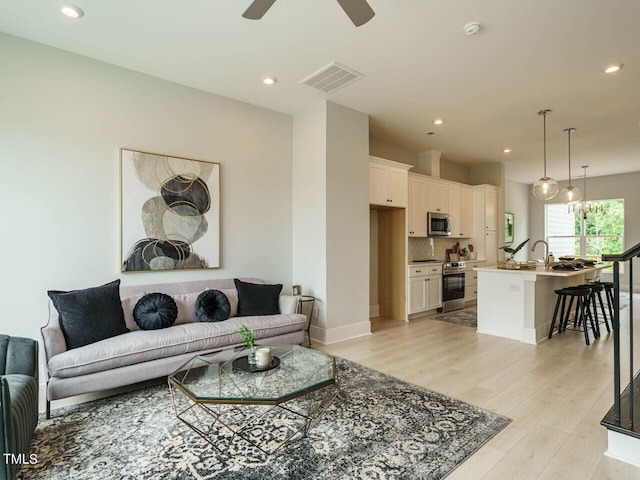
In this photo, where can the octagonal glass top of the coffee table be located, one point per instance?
(213, 378)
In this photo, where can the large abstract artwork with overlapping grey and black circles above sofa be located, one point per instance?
(169, 212)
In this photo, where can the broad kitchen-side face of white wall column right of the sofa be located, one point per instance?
(347, 223)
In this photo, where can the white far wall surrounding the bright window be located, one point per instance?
(609, 187)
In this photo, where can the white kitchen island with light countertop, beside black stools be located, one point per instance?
(519, 304)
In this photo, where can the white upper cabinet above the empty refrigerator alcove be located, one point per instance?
(388, 182)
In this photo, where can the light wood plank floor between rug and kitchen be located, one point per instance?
(556, 393)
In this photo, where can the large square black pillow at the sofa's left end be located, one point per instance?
(89, 315)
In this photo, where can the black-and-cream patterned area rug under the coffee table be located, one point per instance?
(378, 427)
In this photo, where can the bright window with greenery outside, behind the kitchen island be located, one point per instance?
(589, 236)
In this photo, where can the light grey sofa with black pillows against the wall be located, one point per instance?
(146, 354)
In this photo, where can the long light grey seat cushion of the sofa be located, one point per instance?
(145, 345)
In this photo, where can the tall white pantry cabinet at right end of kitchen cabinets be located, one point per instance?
(485, 222)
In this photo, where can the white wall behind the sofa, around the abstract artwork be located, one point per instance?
(64, 117)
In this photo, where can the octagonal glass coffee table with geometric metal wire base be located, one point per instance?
(224, 404)
